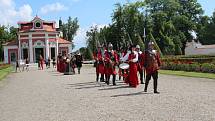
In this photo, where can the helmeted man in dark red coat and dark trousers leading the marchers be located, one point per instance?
(151, 63)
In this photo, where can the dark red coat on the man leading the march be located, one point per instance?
(151, 62)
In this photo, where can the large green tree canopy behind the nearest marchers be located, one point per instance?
(166, 22)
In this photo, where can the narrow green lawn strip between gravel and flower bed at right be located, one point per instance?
(188, 74)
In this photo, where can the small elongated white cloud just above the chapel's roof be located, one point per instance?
(54, 7)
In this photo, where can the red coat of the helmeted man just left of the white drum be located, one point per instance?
(111, 59)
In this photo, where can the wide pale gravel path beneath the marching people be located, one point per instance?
(49, 96)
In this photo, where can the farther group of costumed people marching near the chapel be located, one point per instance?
(68, 63)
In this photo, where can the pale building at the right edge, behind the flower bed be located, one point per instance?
(196, 48)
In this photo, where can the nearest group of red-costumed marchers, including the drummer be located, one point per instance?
(146, 63)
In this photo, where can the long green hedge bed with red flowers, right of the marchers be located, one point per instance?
(204, 64)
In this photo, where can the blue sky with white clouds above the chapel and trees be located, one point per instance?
(89, 12)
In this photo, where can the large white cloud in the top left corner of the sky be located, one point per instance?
(9, 14)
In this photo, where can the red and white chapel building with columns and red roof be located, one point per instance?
(35, 38)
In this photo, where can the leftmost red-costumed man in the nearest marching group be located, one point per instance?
(99, 63)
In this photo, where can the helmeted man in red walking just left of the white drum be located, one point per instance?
(111, 61)
